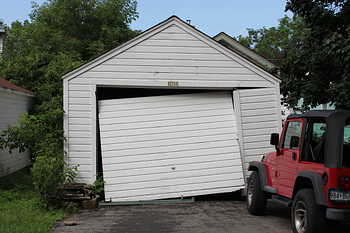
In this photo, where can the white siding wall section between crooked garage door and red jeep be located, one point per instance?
(259, 113)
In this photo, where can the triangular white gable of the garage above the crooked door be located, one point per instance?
(174, 50)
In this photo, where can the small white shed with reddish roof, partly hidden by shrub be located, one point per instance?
(14, 100)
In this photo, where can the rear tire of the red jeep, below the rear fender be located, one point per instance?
(307, 215)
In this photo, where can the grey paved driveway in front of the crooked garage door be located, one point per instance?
(201, 216)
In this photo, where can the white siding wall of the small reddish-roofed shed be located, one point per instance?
(11, 106)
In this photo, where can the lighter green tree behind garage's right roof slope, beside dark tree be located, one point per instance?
(277, 43)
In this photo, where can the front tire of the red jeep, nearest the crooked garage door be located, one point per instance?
(256, 197)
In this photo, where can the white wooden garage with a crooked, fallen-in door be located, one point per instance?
(172, 112)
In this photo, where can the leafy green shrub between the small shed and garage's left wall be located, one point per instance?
(44, 139)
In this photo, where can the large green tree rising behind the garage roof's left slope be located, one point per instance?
(62, 35)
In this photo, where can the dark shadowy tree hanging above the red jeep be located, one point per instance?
(320, 72)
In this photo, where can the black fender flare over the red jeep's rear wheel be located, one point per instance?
(317, 185)
